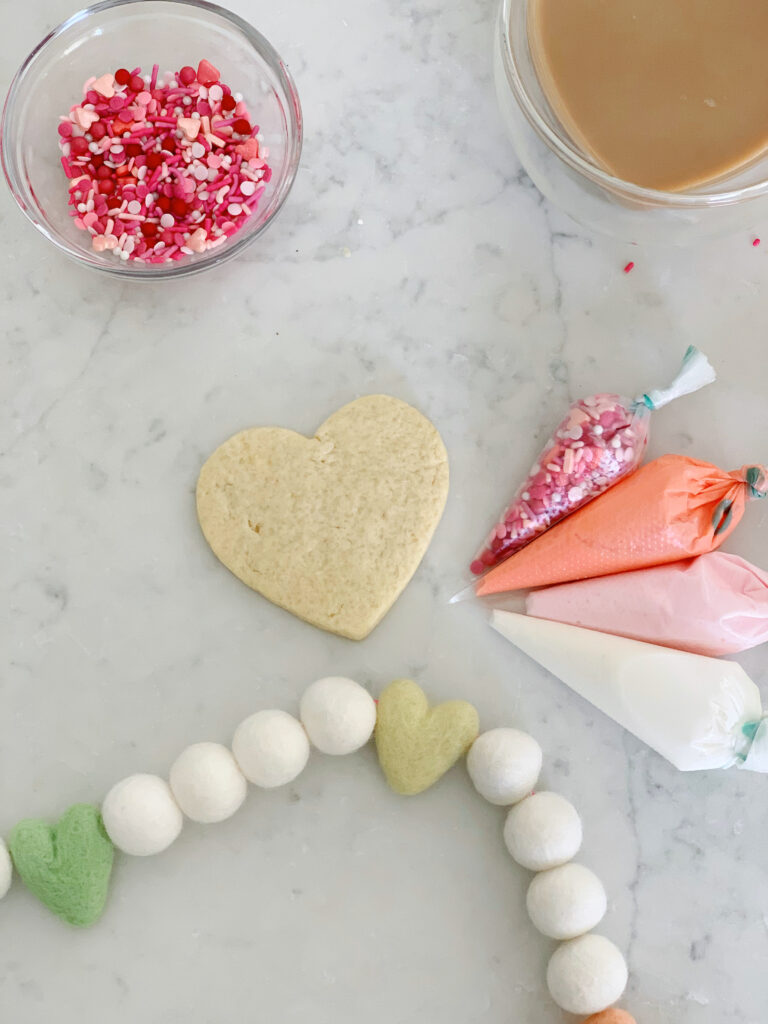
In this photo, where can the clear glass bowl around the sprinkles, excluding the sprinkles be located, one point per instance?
(129, 33)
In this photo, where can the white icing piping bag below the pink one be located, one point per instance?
(698, 712)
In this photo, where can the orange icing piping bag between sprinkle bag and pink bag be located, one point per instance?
(671, 509)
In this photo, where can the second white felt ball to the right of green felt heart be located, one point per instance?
(207, 783)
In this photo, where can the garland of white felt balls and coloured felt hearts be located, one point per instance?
(68, 866)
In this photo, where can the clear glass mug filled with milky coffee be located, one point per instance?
(648, 122)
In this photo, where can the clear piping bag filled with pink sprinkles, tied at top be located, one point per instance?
(601, 441)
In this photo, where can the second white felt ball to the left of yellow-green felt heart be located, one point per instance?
(271, 748)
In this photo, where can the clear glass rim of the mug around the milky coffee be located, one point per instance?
(576, 160)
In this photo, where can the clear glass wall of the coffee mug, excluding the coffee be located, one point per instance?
(590, 195)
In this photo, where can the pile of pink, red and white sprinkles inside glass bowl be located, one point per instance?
(162, 167)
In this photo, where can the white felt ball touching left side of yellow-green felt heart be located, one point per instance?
(338, 715)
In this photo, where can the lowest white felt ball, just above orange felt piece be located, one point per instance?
(587, 975)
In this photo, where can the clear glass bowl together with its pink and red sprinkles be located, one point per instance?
(152, 173)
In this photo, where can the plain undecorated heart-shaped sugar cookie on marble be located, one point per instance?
(330, 528)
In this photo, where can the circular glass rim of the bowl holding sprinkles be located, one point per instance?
(217, 258)
